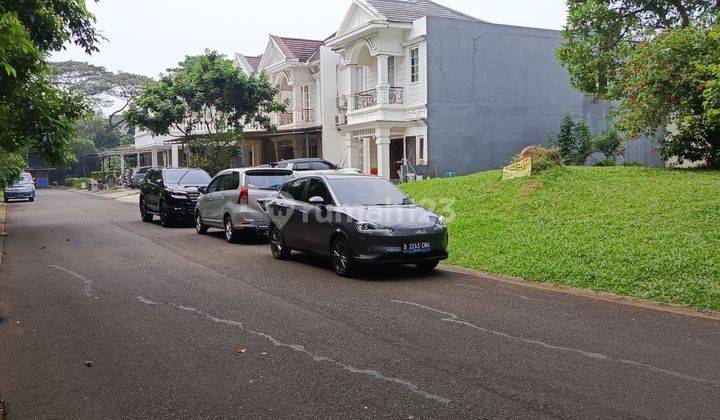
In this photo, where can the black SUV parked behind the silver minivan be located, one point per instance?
(171, 193)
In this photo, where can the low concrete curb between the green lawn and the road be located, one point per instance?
(602, 296)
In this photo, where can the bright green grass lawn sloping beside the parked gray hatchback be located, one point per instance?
(648, 233)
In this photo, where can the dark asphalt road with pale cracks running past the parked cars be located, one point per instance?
(177, 324)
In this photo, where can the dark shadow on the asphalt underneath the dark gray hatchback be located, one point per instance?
(371, 273)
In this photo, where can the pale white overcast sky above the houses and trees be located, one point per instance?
(149, 36)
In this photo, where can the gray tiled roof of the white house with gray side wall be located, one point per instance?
(411, 10)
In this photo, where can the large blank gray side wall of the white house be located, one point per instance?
(494, 89)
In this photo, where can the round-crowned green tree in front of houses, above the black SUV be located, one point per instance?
(205, 99)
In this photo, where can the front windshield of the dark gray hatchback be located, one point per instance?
(366, 191)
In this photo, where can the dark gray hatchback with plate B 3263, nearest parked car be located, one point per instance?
(354, 220)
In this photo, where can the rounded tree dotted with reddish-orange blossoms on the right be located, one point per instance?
(665, 84)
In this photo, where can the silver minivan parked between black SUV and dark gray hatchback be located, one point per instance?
(235, 200)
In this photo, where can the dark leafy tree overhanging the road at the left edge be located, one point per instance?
(33, 112)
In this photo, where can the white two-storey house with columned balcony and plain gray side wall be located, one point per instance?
(423, 84)
